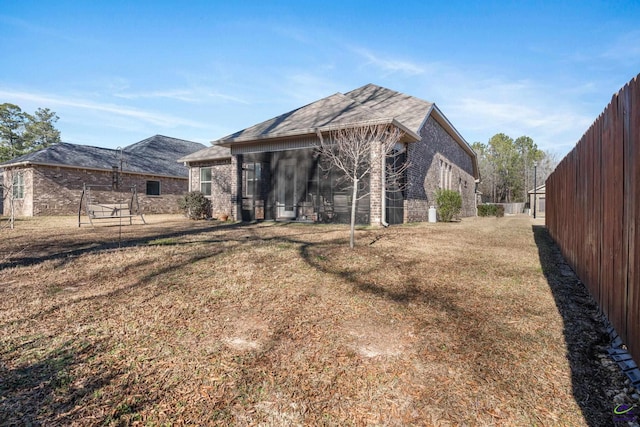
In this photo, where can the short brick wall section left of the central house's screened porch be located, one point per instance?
(220, 184)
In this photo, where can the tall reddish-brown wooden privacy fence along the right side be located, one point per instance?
(593, 205)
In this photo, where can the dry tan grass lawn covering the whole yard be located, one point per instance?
(201, 323)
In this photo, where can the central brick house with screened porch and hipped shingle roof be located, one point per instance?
(275, 173)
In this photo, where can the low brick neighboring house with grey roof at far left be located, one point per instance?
(50, 181)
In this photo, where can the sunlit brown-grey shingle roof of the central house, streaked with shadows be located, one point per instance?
(367, 103)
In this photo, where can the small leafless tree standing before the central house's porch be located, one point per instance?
(356, 152)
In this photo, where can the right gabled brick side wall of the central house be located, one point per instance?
(436, 150)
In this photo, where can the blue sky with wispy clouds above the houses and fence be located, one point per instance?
(117, 72)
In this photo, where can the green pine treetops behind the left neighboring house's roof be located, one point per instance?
(22, 133)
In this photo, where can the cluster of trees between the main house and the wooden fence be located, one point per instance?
(507, 167)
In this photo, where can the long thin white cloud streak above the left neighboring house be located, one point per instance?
(51, 101)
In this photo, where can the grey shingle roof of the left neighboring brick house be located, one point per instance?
(157, 155)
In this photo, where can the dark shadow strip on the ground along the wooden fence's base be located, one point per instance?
(585, 334)
